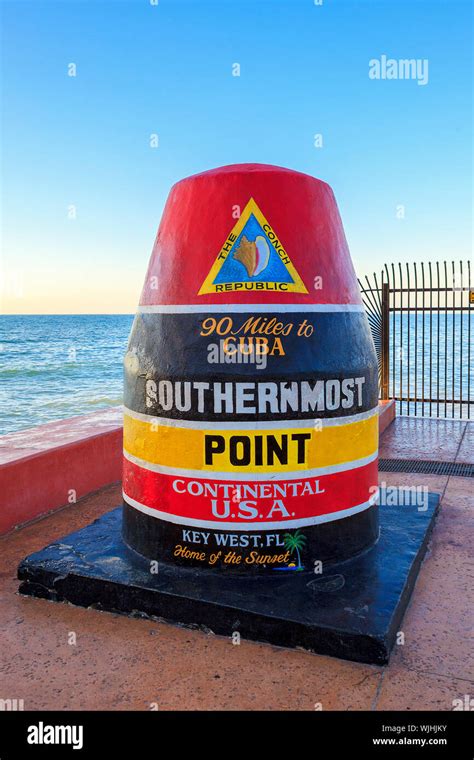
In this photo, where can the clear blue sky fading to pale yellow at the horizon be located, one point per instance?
(84, 141)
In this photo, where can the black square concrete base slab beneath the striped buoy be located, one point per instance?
(352, 610)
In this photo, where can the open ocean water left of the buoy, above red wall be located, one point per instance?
(53, 367)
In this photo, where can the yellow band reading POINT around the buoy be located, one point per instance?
(285, 449)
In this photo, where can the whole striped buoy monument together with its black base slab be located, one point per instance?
(250, 441)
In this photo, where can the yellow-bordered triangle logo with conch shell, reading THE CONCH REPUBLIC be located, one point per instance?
(252, 258)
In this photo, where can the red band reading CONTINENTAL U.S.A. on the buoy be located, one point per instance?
(191, 501)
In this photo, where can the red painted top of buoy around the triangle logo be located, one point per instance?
(200, 214)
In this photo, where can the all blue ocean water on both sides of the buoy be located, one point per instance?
(52, 367)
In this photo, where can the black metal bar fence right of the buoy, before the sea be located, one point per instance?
(420, 317)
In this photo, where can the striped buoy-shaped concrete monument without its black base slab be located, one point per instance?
(250, 427)
